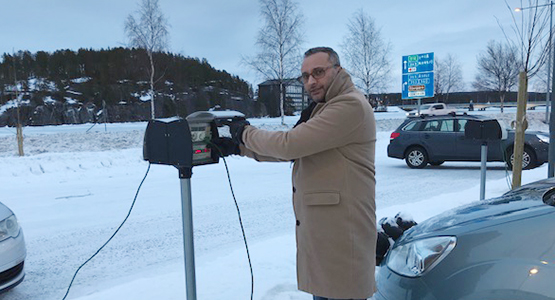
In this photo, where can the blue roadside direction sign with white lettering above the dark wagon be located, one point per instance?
(418, 76)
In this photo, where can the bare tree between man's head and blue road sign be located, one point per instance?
(367, 54)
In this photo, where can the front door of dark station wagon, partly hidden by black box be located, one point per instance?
(470, 149)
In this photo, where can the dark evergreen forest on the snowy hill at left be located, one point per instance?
(112, 85)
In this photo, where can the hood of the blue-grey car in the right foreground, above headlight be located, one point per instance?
(514, 205)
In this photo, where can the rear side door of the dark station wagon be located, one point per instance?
(439, 139)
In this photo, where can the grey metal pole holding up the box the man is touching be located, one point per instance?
(188, 245)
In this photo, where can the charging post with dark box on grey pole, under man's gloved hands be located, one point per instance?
(184, 144)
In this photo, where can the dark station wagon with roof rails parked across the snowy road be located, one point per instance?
(434, 140)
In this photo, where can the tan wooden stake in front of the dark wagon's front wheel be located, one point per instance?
(521, 125)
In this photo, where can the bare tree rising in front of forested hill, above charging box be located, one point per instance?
(149, 32)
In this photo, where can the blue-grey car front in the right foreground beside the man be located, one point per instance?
(501, 248)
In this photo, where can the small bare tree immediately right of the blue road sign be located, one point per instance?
(447, 77)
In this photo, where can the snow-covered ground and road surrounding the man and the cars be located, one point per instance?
(73, 188)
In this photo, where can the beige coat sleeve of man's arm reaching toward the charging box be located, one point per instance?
(335, 125)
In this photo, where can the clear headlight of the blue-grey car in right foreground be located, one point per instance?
(415, 258)
